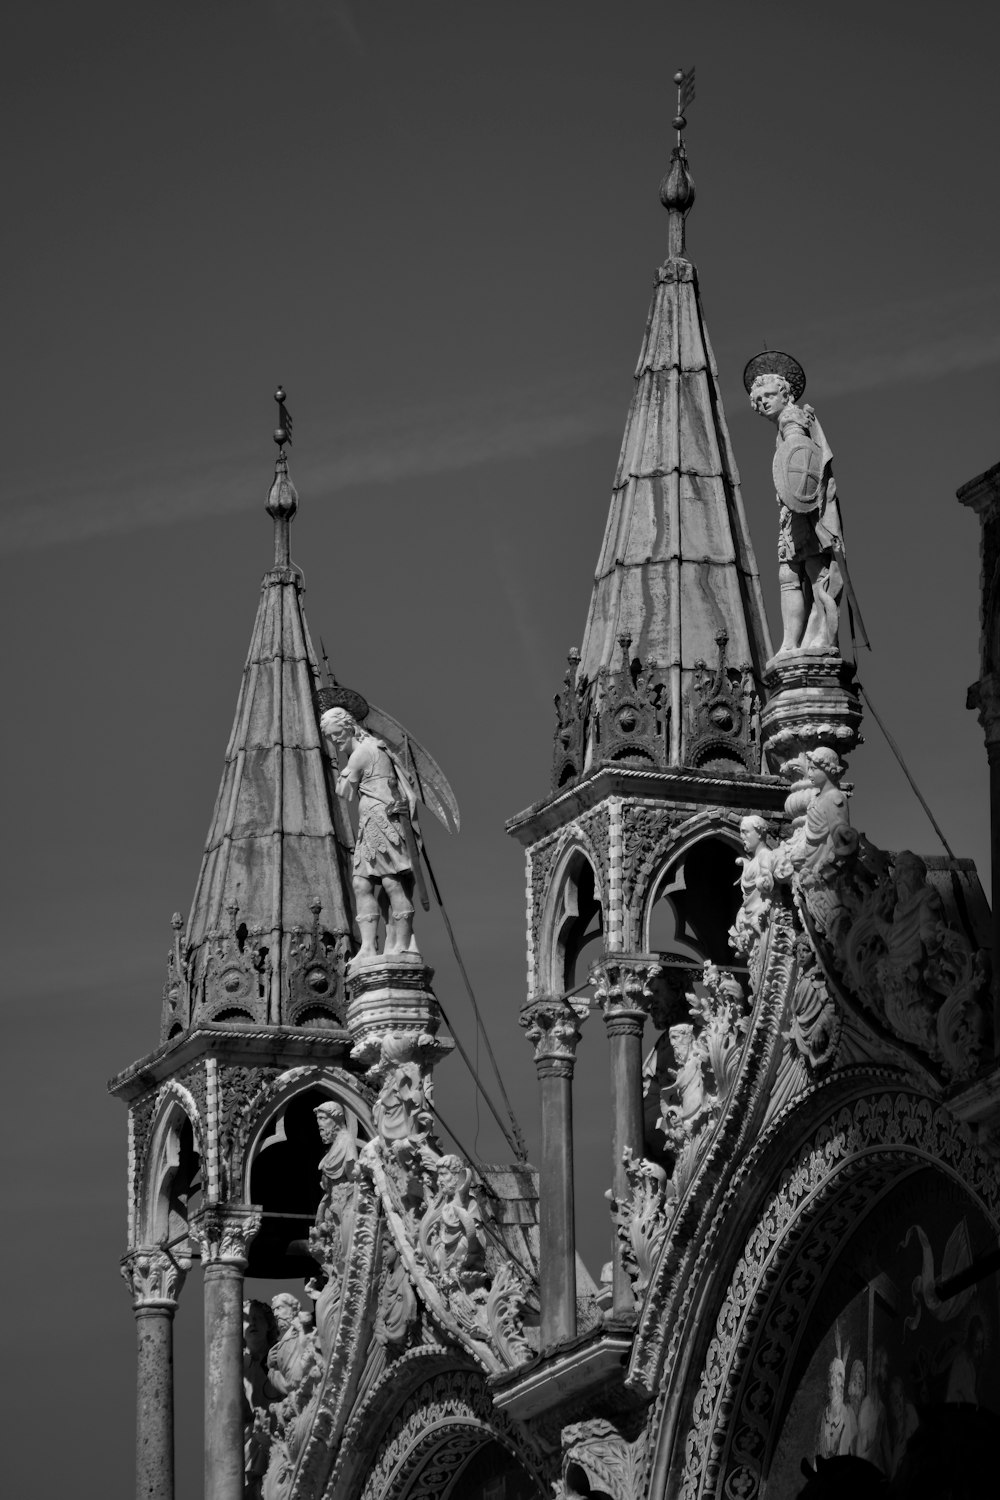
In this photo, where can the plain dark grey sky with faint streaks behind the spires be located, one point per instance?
(439, 226)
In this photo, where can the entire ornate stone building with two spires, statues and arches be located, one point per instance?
(803, 1171)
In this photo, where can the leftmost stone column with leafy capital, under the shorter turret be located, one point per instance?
(155, 1279)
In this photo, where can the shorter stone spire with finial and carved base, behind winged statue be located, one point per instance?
(271, 922)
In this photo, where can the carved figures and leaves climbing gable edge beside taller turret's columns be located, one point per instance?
(707, 1052)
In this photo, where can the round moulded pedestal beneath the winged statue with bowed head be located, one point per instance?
(392, 994)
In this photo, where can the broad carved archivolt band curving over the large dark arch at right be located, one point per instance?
(861, 1148)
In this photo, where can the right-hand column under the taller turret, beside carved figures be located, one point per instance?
(624, 992)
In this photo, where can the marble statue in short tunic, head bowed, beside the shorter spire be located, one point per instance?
(386, 853)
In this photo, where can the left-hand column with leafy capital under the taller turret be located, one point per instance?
(554, 1028)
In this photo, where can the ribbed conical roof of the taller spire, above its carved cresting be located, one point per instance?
(677, 571)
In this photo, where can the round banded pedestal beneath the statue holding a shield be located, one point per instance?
(812, 701)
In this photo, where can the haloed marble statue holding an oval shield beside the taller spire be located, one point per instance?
(810, 533)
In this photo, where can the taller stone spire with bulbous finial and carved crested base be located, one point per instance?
(677, 635)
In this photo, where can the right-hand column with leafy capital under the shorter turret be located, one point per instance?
(224, 1234)
